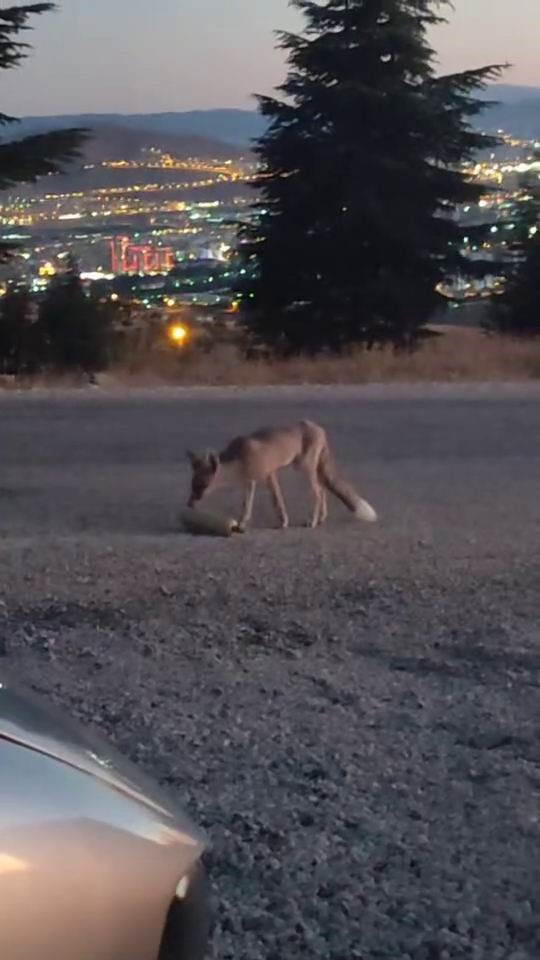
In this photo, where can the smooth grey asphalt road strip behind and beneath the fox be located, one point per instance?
(434, 469)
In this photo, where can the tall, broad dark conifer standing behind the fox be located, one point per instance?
(360, 180)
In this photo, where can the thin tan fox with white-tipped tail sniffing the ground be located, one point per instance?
(257, 458)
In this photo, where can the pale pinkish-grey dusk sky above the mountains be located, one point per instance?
(151, 55)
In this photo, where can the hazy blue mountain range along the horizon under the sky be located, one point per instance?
(206, 132)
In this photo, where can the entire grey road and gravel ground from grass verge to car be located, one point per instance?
(353, 713)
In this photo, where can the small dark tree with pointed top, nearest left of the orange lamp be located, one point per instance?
(75, 328)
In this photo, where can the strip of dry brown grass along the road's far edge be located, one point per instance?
(458, 355)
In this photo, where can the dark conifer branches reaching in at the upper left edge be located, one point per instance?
(27, 159)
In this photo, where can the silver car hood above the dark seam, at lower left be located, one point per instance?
(36, 725)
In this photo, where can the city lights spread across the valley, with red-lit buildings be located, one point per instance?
(161, 229)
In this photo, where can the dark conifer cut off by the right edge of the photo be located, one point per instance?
(516, 311)
